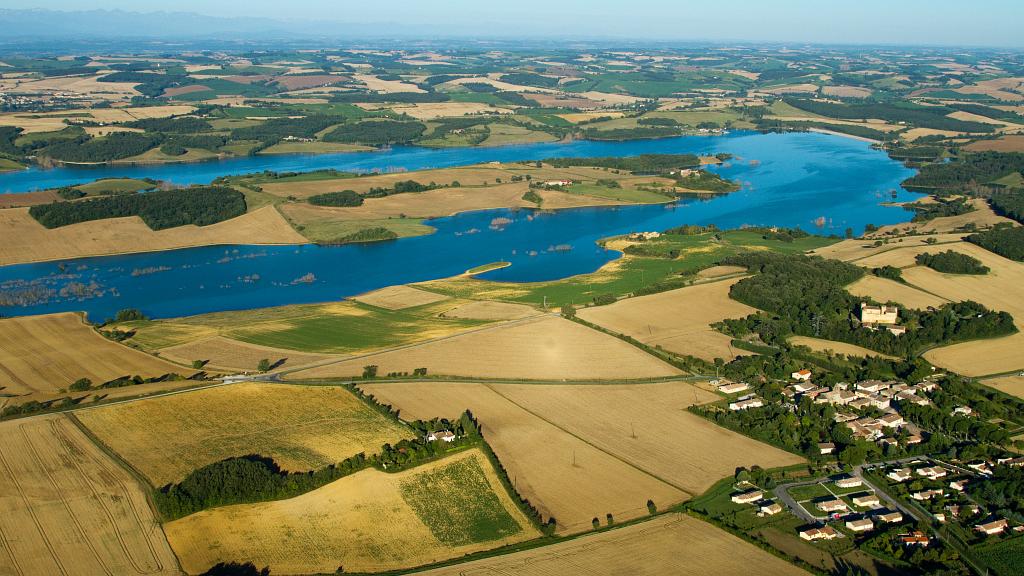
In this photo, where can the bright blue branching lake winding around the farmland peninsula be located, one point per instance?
(820, 183)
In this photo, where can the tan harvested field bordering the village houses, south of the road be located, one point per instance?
(649, 427)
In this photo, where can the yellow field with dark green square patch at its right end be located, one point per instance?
(368, 522)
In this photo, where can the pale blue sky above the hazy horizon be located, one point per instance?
(963, 23)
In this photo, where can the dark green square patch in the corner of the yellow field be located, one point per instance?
(458, 505)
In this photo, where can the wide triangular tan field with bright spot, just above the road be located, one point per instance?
(546, 349)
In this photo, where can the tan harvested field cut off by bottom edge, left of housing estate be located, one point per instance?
(660, 547)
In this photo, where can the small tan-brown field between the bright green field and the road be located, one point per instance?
(227, 354)
